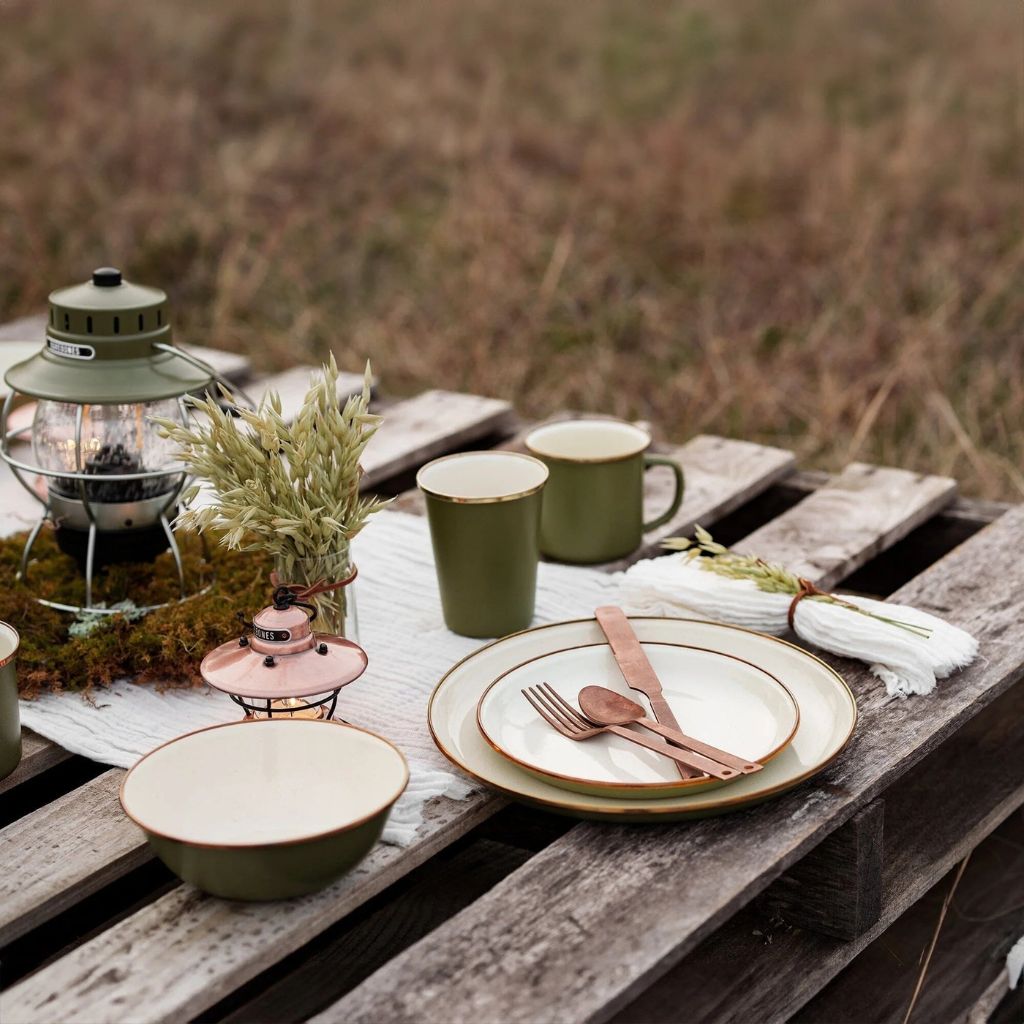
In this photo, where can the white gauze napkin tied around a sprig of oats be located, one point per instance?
(907, 661)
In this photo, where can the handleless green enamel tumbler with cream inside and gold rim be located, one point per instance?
(485, 515)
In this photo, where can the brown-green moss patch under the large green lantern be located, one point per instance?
(165, 647)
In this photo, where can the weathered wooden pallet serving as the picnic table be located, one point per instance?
(501, 914)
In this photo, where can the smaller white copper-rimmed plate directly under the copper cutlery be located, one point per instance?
(718, 698)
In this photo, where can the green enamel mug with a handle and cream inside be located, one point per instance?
(593, 504)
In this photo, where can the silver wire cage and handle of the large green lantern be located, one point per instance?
(83, 480)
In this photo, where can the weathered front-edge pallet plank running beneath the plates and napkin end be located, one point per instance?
(558, 941)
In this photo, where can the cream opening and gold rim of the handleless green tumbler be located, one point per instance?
(483, 478)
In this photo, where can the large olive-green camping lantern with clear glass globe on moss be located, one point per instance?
(106, 479)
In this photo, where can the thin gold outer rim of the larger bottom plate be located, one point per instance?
(626, 809)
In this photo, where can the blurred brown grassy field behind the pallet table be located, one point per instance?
(798, 223)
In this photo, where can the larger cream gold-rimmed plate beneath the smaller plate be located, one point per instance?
(828, 717)
